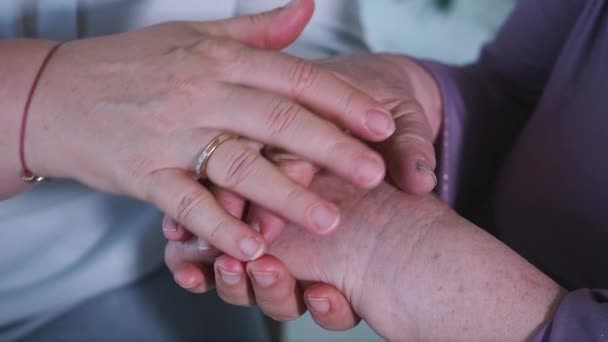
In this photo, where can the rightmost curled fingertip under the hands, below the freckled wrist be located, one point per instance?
(329, 308)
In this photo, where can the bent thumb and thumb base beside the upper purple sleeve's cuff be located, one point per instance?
(412, 96)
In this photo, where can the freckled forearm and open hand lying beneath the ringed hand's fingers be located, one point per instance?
(412, 268)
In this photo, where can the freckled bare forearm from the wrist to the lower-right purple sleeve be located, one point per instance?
(460, 283)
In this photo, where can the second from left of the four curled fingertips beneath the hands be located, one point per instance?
(231, 282)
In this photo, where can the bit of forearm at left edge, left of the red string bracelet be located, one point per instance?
(20, 62)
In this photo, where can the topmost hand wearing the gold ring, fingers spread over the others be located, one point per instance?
(129, 113)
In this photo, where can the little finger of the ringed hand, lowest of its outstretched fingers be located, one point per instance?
(182, 197)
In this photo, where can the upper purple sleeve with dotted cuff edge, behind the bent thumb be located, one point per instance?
(487, 103)
